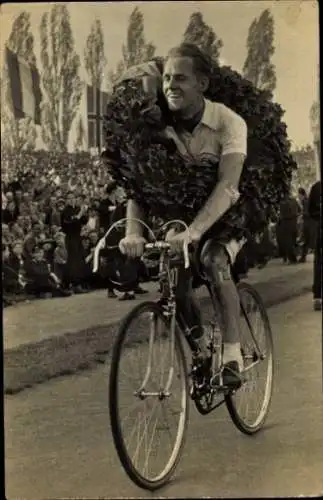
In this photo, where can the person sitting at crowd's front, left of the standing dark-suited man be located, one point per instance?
(41, 281)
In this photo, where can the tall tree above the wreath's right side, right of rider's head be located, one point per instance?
(258, 67)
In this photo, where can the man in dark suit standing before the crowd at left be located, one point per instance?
(73, 218)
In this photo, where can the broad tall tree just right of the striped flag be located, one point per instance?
(60, 77)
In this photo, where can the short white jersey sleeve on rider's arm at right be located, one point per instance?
(234, 132)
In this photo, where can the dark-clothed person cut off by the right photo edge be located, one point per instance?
(314, 209)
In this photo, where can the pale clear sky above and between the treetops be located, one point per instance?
(296, 54)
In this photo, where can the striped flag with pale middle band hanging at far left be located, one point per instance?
(24, 85)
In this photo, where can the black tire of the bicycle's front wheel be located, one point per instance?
(137, 477)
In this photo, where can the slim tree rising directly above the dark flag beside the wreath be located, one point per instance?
(95, 60)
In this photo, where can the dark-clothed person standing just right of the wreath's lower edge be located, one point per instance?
(287, 229)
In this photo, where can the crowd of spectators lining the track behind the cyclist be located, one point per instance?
(56, 208)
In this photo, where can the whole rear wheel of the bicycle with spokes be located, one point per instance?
(249, 405)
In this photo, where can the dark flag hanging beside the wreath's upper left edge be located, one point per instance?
(96, 103)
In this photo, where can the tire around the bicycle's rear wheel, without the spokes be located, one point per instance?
(240, 423)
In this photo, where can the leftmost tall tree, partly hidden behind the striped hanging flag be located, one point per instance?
(18, 135)
